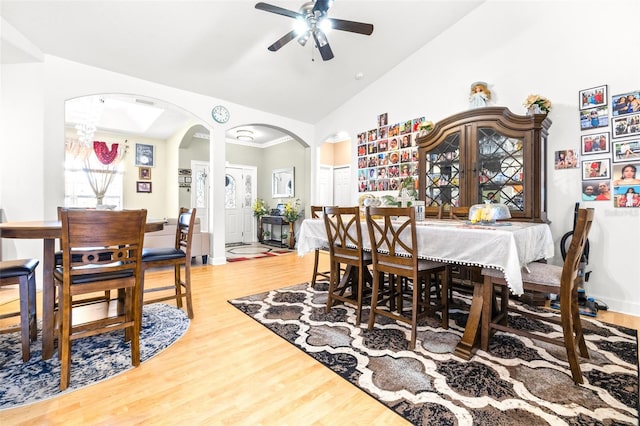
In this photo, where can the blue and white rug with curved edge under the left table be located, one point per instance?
(93, 359)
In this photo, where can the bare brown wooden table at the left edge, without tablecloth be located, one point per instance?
(49, 231)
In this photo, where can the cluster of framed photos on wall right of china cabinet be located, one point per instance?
(610, 140)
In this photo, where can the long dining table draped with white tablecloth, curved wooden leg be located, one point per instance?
(507, 246)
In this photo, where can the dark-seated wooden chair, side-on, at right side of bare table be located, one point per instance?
(178, 256)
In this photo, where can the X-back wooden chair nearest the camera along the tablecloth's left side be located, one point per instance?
(394, 248)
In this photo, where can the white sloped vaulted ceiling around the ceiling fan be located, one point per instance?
(219, 48)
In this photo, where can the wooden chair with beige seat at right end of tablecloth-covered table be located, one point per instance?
(544, 278)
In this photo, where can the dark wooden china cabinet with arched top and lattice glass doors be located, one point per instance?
(486, 153)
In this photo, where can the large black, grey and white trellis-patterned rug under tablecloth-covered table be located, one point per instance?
(519, 381)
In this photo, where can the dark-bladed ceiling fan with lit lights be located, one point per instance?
(314, 22)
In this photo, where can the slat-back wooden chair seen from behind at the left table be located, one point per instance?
(101, 250)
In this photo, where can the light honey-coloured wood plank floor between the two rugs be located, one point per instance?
(227, 369)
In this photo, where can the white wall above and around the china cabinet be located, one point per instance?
(520, 47)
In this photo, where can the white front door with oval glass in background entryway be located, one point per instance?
(240, 193)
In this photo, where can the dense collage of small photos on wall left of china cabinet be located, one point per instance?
(387, 154)
